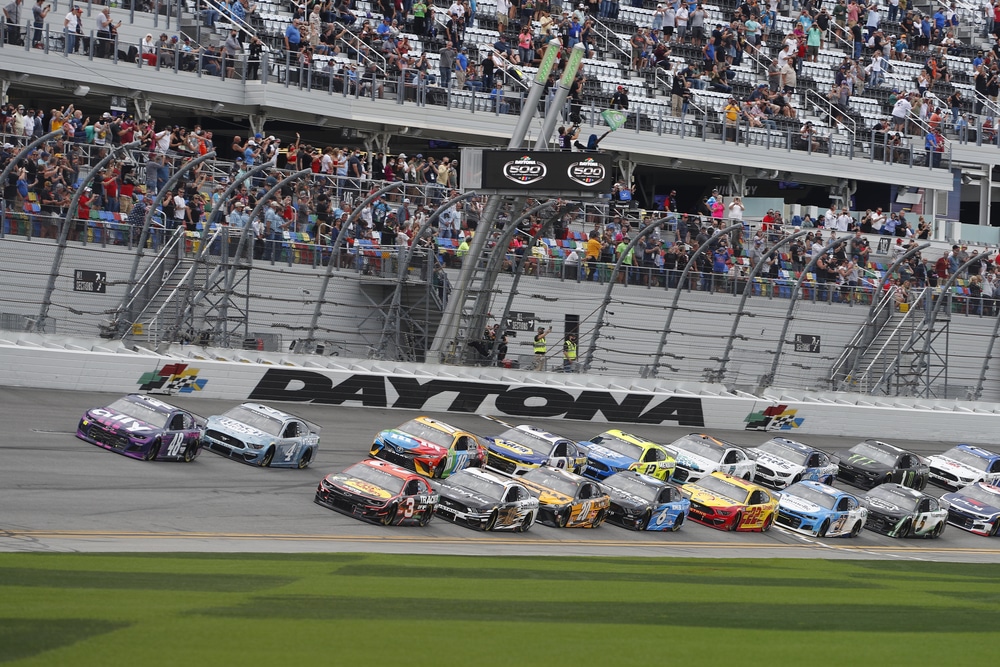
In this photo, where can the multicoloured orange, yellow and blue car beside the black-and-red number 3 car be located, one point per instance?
(429, 447)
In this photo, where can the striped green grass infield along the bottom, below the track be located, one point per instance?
(343, 609)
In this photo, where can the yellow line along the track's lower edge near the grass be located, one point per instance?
(412, 539)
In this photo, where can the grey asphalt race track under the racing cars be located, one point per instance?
(60, 494)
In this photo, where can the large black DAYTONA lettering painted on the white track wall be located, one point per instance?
(301, 386)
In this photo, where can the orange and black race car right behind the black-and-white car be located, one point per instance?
(566, 500)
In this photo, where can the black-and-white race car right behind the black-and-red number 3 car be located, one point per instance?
(485, 501)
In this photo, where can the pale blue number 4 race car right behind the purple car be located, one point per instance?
(262, 436)
